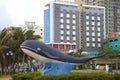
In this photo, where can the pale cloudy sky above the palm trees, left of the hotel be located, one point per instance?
(16, 12)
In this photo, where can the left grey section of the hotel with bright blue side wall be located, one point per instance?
(61, 23)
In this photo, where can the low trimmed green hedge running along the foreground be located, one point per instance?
(71, 76)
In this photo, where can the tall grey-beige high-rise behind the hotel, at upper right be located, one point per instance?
(112, 13)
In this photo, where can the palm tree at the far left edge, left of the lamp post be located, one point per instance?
(4, 39)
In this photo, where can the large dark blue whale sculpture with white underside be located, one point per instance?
(46, 54)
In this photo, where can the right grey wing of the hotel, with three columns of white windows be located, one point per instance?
(93, 28)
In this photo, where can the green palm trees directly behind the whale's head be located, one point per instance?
(18, 36)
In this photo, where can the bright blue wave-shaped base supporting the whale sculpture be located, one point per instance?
(57, 68)
